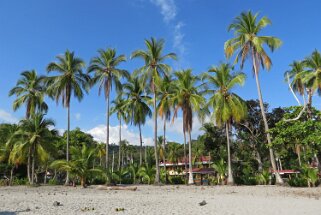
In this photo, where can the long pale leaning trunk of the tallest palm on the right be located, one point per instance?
(266, 126)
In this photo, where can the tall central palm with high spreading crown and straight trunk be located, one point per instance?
(151, 72)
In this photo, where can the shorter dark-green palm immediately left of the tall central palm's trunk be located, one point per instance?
(137, 104)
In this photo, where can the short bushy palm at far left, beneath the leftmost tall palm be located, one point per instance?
(35, 137)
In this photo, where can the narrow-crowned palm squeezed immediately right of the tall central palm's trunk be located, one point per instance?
(164, 108)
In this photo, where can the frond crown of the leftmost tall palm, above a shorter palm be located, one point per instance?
(29, 91)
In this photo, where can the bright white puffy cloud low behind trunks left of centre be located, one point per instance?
(99, 133)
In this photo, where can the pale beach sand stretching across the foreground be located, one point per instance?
(238, 200)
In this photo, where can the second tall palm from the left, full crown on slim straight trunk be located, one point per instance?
(70, 80)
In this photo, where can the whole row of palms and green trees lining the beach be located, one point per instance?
(155, 90)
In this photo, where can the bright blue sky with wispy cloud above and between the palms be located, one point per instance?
(34, 32)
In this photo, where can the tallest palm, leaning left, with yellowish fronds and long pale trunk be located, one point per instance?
(249, 44)
